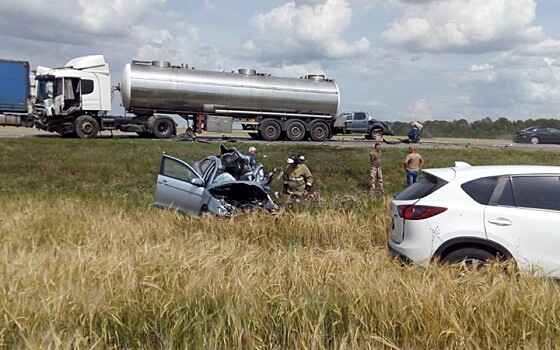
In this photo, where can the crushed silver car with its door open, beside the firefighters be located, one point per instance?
(222, 185)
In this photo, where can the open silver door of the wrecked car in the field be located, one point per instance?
(179, 186)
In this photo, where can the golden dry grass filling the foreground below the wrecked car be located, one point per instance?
(90, 275)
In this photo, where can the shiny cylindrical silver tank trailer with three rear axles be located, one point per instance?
(269, 107)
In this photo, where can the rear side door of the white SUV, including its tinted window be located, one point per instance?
(525, 219)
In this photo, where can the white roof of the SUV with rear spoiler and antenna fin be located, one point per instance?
(466, 172)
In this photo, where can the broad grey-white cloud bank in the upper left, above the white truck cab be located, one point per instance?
(58, 30)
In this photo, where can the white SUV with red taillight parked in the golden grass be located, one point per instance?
(476, 213)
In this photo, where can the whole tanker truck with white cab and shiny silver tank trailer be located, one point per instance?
(75, 100)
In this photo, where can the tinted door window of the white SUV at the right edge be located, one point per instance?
(540, 192)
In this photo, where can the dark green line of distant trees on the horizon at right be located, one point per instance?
(486, 128)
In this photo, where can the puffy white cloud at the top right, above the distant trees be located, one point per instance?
(463, 26)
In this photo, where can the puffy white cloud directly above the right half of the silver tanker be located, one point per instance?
(304, 30)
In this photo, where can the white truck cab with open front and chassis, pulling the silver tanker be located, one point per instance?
(74, 101)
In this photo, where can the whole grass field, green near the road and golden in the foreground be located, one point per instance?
(87, 263)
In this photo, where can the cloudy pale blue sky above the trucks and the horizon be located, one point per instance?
(399, 60)
